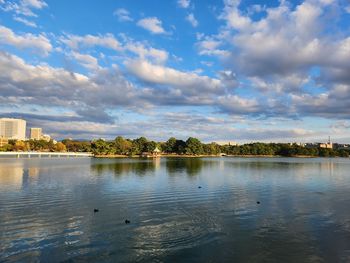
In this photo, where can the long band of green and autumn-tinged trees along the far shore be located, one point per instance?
(191, 147)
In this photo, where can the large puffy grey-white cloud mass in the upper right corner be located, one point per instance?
(282, 32)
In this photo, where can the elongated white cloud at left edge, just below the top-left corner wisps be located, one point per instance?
(38, 43)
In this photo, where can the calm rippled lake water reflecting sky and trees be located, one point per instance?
(181, 210)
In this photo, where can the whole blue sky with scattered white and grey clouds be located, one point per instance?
(218, 70)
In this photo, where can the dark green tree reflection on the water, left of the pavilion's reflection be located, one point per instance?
(119, 168)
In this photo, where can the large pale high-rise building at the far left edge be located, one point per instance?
(13, 129)
